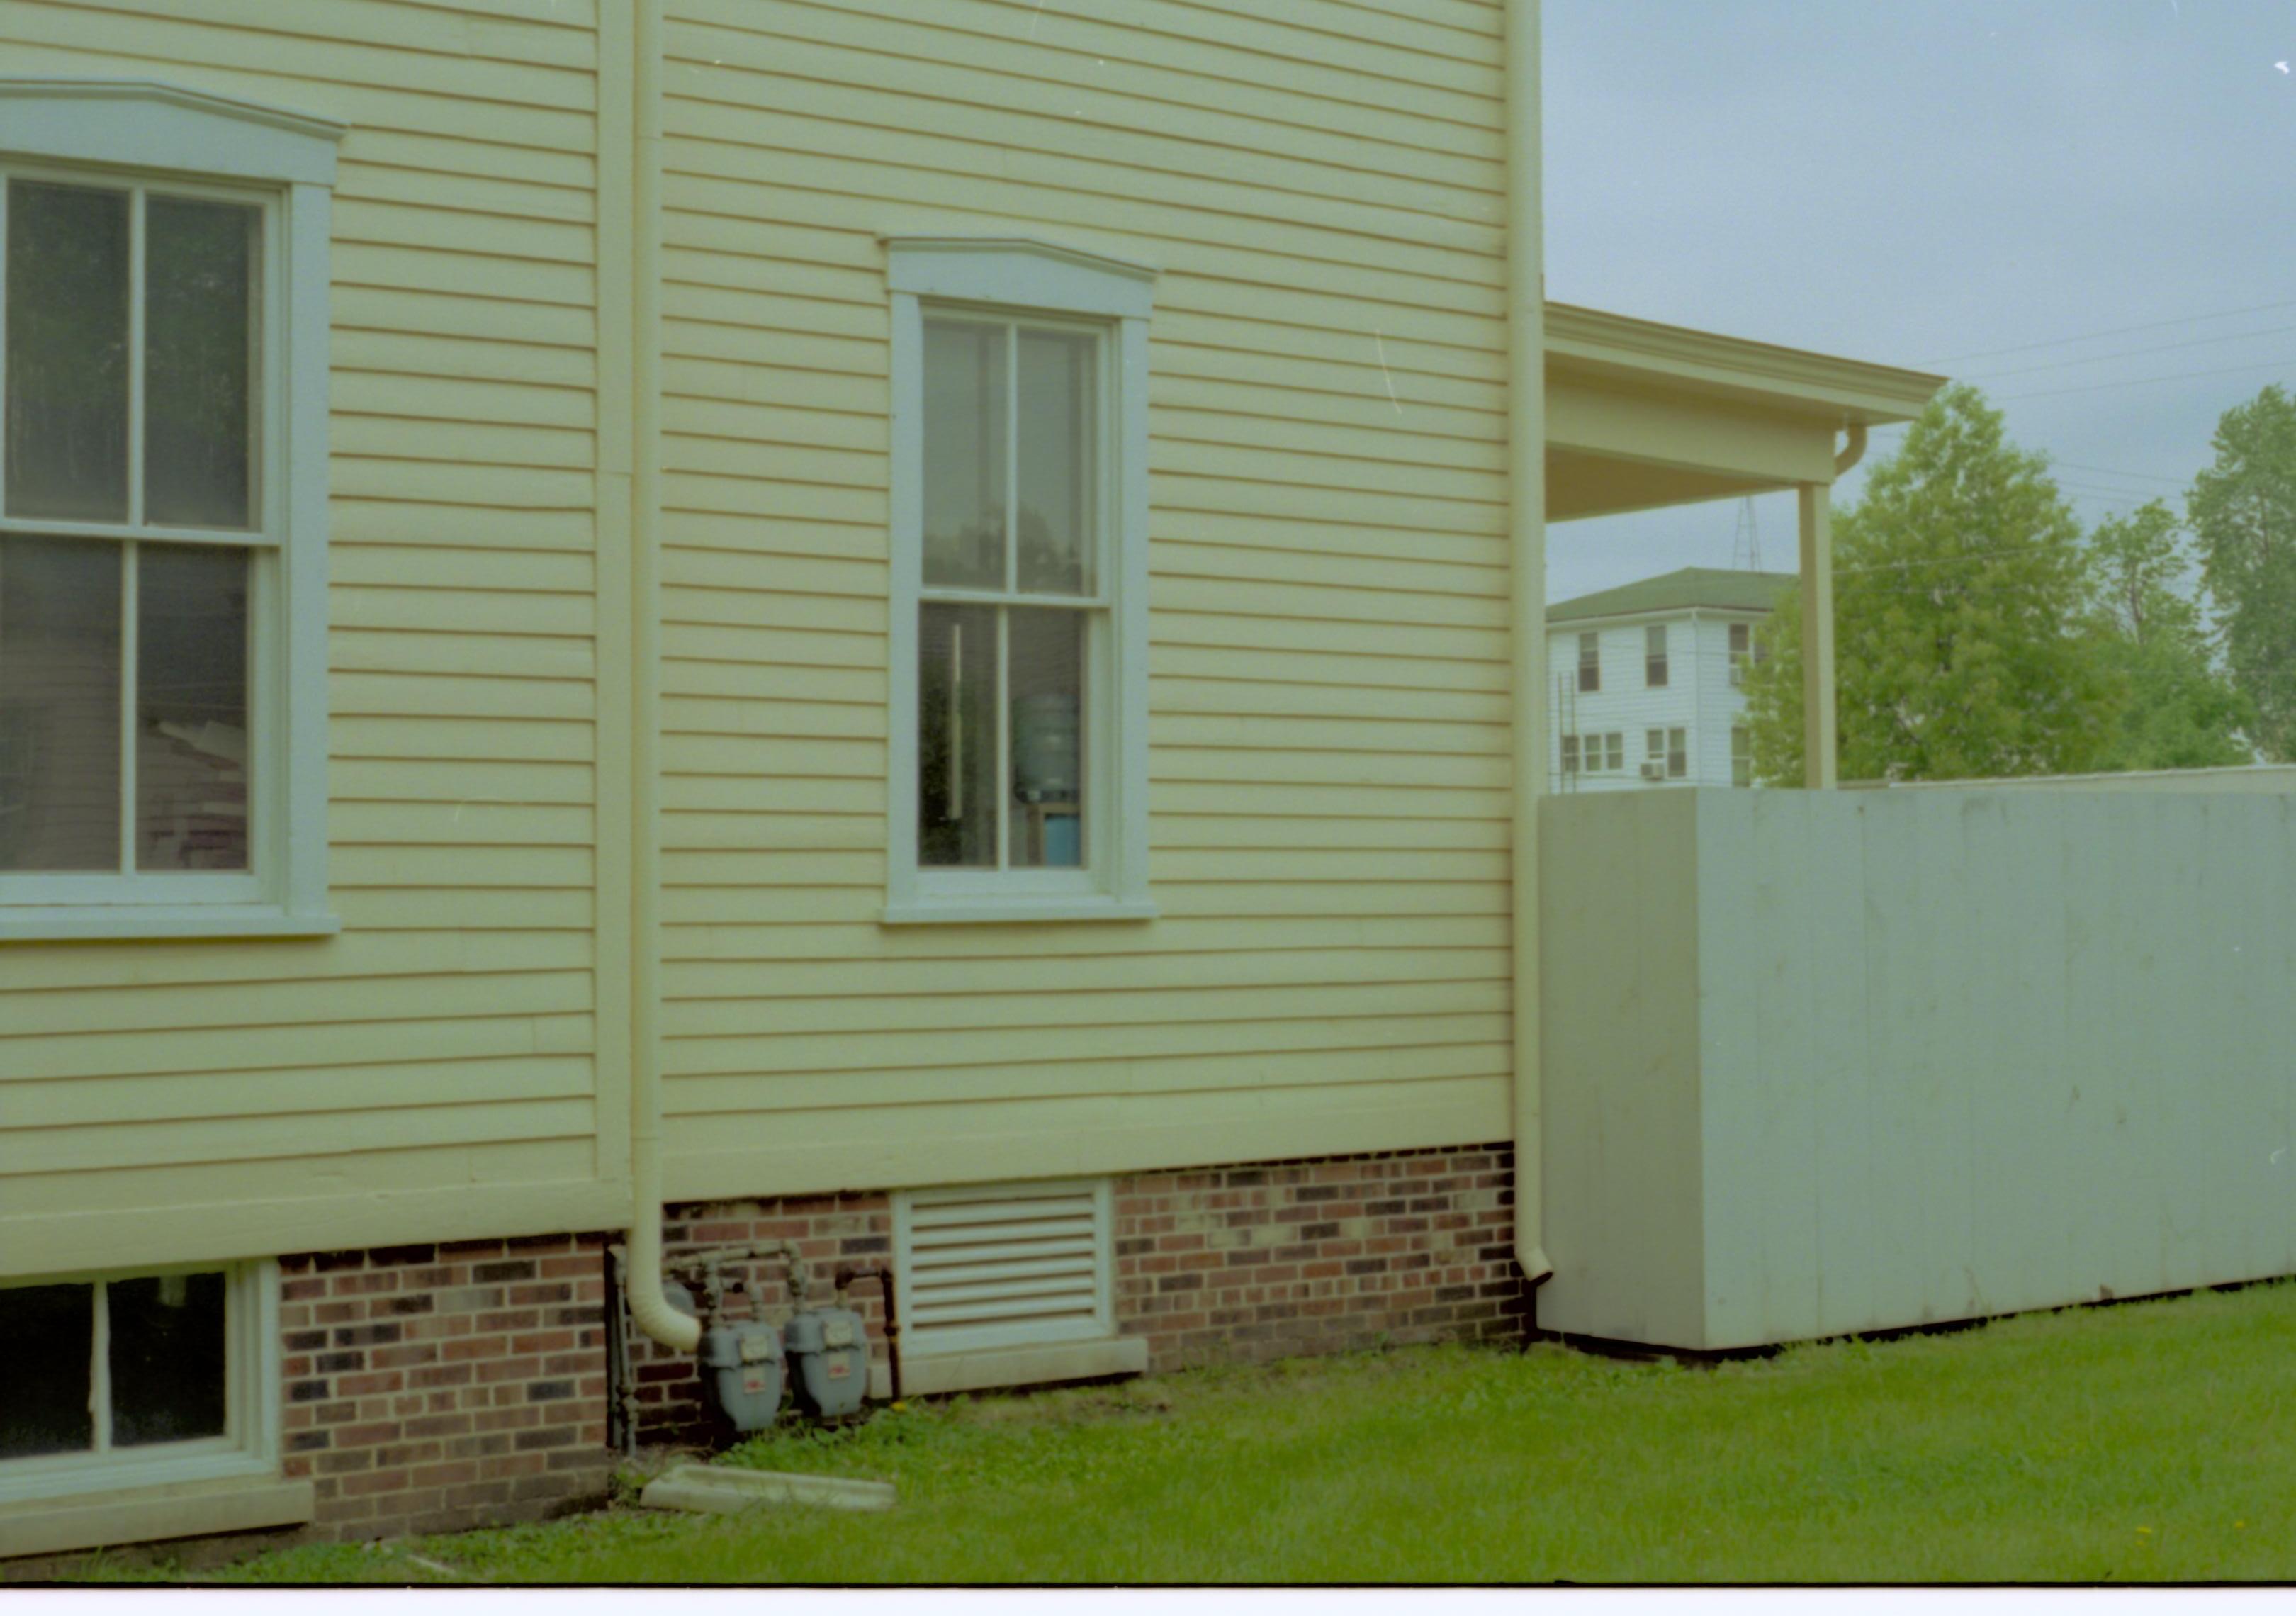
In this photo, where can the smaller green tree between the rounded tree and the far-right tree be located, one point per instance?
(2182, 710)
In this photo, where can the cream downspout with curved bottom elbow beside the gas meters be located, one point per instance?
(644, 1275)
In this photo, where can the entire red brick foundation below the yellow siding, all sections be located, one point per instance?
(444, 1388)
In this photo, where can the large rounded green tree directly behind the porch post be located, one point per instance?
(1964, 642)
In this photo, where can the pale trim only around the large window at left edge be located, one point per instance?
(183, 134)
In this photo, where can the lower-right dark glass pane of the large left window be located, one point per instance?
(192, 708)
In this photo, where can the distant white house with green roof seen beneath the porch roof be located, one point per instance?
(1645, 683)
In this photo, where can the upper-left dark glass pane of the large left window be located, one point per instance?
(68, 352)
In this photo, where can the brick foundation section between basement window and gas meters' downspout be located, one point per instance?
(444, 1388)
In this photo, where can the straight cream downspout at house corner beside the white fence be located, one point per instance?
(1528, 605)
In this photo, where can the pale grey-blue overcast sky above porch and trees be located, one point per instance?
(1925, 185)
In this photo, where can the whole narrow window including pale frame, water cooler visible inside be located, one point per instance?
(1018, 756)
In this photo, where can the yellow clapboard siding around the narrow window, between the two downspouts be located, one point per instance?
(1321, 187)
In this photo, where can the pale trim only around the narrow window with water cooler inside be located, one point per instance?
(1025, 279)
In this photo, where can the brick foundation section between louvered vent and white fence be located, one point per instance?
(1319, 1257)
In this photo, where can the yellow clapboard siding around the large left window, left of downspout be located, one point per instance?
(433, 1064)
